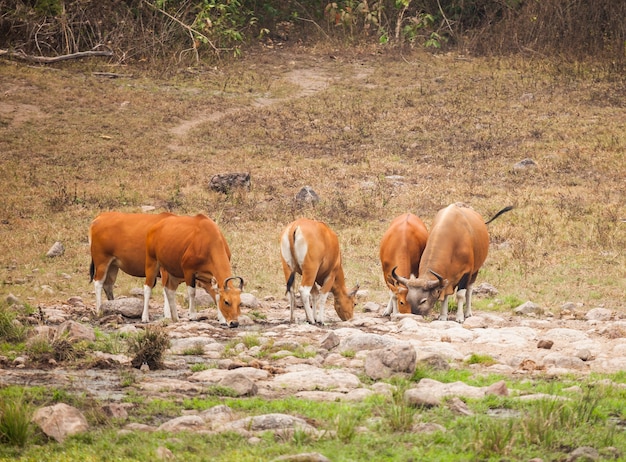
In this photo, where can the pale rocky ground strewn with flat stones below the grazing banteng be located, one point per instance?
(338, 361)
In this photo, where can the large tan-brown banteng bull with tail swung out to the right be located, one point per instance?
(456, 249)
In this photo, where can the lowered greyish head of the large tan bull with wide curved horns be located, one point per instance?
(420, 294)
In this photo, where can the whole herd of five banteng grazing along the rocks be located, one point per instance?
(419, 267)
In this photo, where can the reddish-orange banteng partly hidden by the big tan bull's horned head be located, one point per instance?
(401, 248)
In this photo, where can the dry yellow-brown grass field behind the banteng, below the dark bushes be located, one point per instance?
(374, 134)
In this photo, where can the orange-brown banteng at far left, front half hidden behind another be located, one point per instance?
(117, 241)
